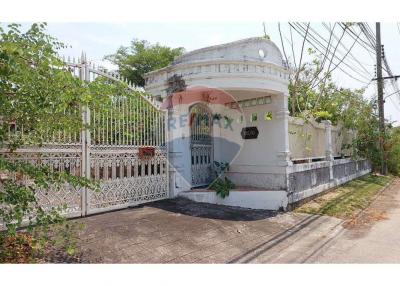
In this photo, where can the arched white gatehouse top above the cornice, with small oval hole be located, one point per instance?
(251, 49)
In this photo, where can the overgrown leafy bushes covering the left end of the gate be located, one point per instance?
(37, 91)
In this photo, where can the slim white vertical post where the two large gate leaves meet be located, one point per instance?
(85, 138)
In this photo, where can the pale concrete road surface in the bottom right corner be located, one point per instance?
(373, 238)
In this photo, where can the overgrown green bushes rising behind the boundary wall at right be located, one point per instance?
(314, 94)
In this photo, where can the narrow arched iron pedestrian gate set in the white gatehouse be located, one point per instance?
(201, 145)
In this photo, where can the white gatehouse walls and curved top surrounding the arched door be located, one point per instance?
(239, 68)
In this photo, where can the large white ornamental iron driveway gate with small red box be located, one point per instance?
(109, 151)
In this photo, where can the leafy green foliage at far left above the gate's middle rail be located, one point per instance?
(35, 86)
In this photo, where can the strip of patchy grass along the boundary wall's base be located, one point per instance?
(347, 200)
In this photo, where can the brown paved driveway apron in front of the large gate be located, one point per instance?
(181, 231)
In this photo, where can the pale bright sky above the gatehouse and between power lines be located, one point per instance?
(100, 39)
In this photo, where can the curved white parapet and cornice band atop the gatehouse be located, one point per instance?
(253, 63)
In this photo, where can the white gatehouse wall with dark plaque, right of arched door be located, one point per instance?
(259, 162)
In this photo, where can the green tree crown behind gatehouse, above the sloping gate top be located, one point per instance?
(142, 57)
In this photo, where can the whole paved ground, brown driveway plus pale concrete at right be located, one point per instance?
(182, 231)
